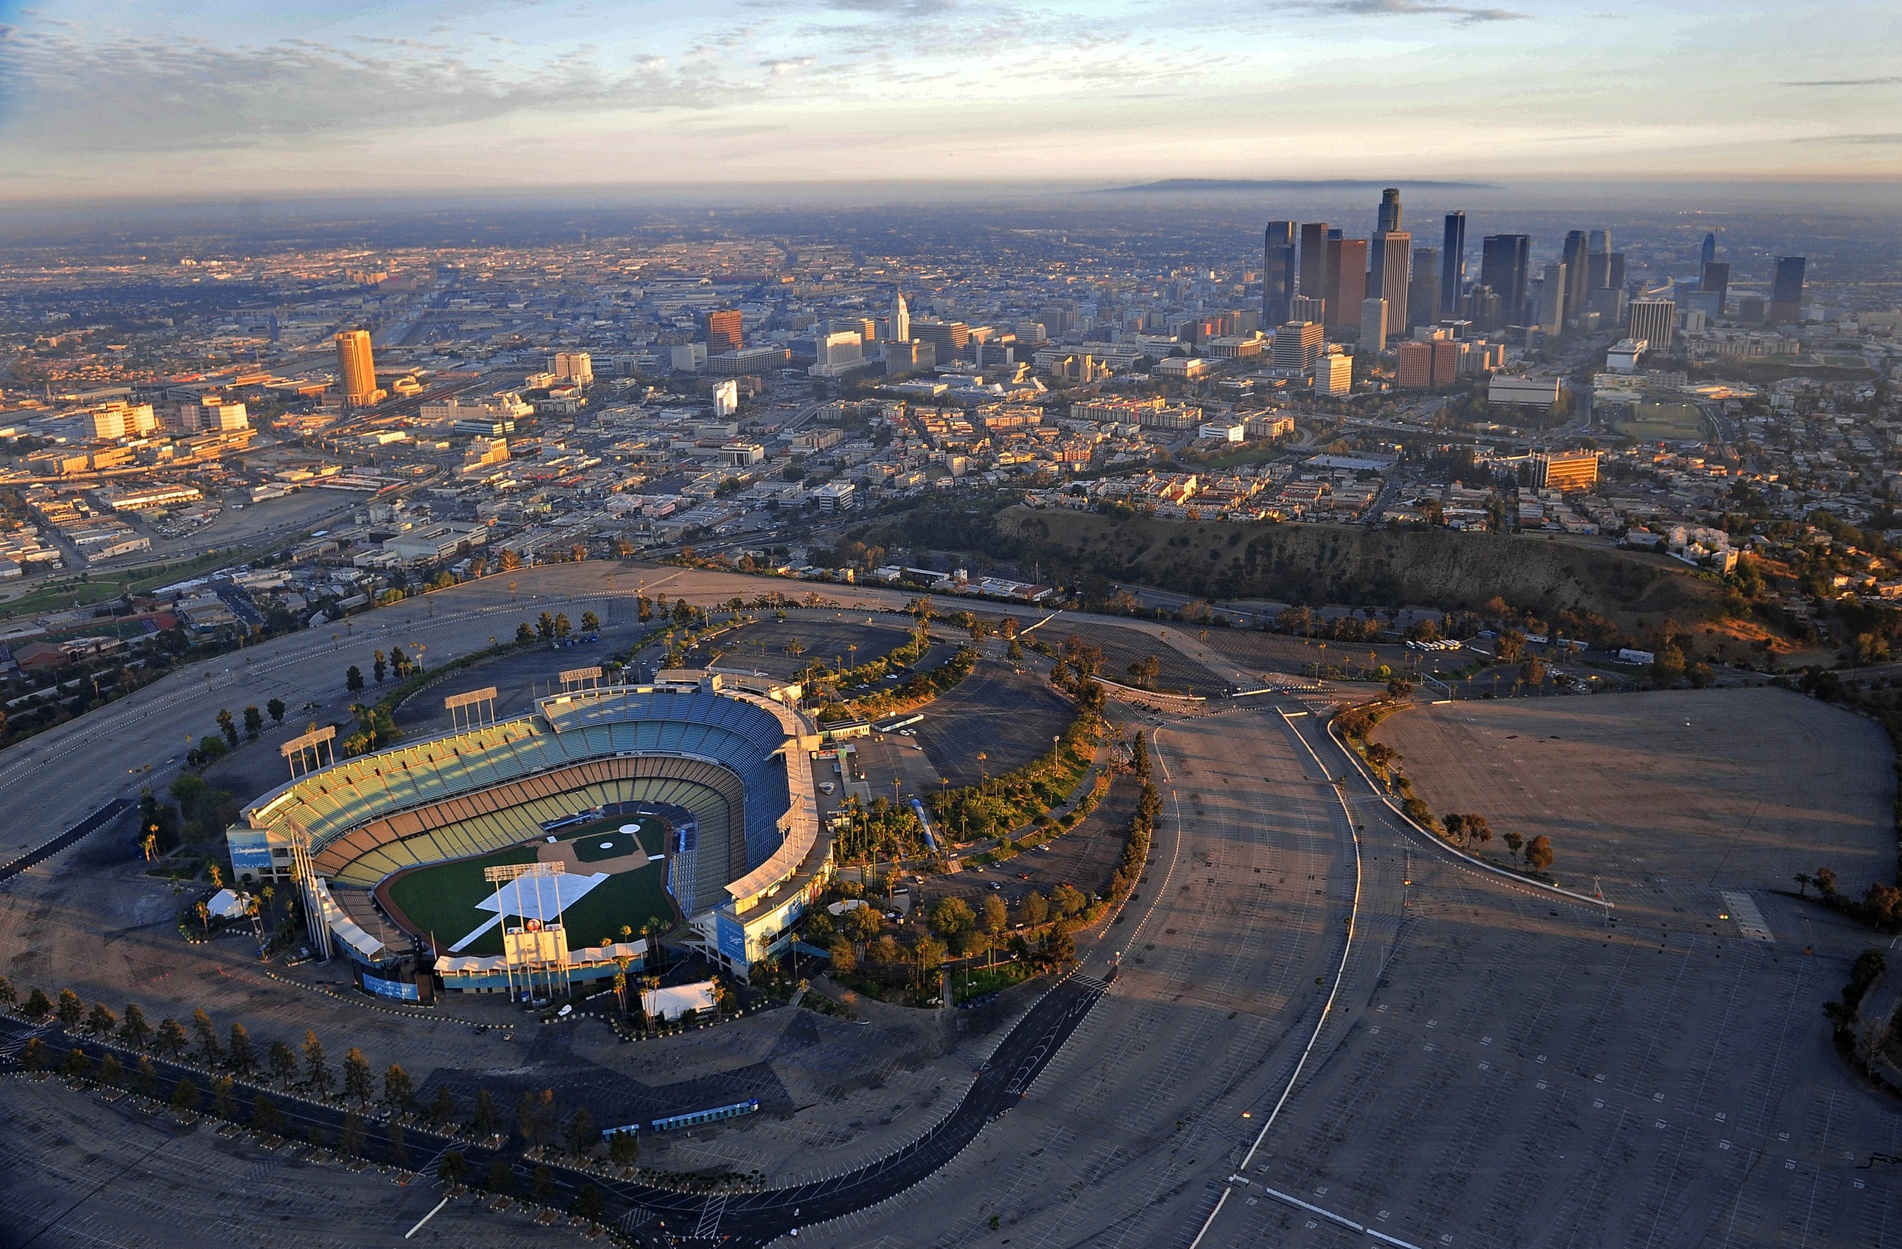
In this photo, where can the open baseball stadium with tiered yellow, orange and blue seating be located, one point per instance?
(549, 851)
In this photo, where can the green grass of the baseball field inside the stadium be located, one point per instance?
(440, 900)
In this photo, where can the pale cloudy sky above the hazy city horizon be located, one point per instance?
(210, 98)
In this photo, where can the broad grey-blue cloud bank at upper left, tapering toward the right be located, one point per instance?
(146, 94)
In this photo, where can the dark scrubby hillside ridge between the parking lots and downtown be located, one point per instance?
(1361, 567)
